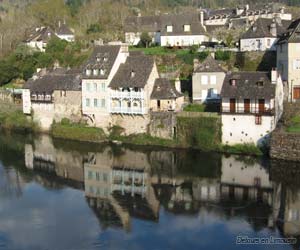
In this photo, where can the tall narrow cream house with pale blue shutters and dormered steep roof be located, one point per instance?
(98, 72)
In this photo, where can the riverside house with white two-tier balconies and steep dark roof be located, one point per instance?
(130, 92)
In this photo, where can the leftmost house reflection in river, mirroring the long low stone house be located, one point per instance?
(46, 159)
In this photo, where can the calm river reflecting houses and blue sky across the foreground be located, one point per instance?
(57, 194)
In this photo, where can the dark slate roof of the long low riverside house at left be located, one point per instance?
(58, 79)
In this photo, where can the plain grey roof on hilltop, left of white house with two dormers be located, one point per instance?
(142, 24)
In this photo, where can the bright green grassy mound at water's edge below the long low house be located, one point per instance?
(77, 131)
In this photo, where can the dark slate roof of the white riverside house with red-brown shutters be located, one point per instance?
(246, 86)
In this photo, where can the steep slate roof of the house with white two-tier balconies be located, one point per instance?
(134, 72)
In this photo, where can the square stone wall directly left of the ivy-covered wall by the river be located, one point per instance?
(162, 124)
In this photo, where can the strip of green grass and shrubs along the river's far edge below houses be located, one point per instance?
(202, 137)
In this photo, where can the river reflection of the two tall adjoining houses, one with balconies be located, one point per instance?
(121, 183)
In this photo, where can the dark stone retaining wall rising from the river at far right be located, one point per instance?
(285, 146)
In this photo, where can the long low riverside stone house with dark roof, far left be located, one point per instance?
(53, 96)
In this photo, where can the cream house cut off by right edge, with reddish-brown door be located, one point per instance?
(288, 59)
